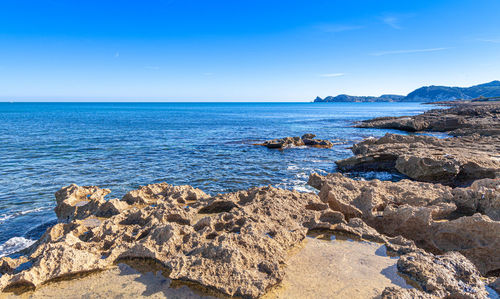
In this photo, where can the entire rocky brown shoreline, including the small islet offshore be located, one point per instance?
(443, 226)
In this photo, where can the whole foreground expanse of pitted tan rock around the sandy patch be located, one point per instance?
(237, 244)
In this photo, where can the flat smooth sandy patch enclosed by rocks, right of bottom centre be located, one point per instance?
(338, 269)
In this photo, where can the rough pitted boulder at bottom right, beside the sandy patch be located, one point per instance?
(447, 276)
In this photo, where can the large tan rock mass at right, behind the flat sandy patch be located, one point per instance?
(423, 212)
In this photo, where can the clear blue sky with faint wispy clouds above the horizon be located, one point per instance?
(242, 50)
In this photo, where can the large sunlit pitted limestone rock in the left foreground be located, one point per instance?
(235, 243)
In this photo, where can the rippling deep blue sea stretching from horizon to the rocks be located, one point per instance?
(44, 146)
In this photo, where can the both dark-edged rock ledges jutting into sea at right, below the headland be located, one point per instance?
(474, 152)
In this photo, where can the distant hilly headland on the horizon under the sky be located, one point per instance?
(427, 93)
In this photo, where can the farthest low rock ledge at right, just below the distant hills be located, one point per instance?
(463, 118)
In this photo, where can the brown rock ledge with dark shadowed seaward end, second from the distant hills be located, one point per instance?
(456, 161)
